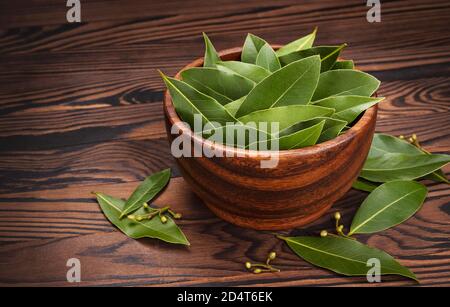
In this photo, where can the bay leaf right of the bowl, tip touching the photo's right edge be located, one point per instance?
(398, 166)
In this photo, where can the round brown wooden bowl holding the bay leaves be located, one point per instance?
(300, 189)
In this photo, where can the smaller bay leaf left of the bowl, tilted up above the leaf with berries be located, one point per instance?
(145, 192)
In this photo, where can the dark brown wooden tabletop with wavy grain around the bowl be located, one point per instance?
(81, 110)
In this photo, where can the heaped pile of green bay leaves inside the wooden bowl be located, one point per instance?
(311, 95)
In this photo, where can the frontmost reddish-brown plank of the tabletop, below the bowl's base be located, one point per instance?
(218, 250)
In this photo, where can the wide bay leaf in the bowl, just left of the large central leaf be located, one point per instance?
(221, 85)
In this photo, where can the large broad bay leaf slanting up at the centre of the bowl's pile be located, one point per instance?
(293, 84)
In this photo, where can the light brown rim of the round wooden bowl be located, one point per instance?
(174, 119)
